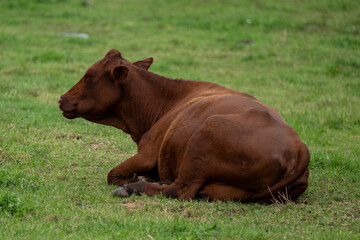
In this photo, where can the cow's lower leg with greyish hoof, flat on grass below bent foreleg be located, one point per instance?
(139, 188)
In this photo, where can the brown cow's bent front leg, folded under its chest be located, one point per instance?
(127, 171)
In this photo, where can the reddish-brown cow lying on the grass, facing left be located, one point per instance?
(198, 139)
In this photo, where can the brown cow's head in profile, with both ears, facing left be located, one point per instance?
(98, 92)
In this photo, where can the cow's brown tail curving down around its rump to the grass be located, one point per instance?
(280, 188)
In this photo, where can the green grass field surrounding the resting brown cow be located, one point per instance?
(300, 57)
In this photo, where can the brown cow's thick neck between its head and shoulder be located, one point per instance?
(147, 97)
